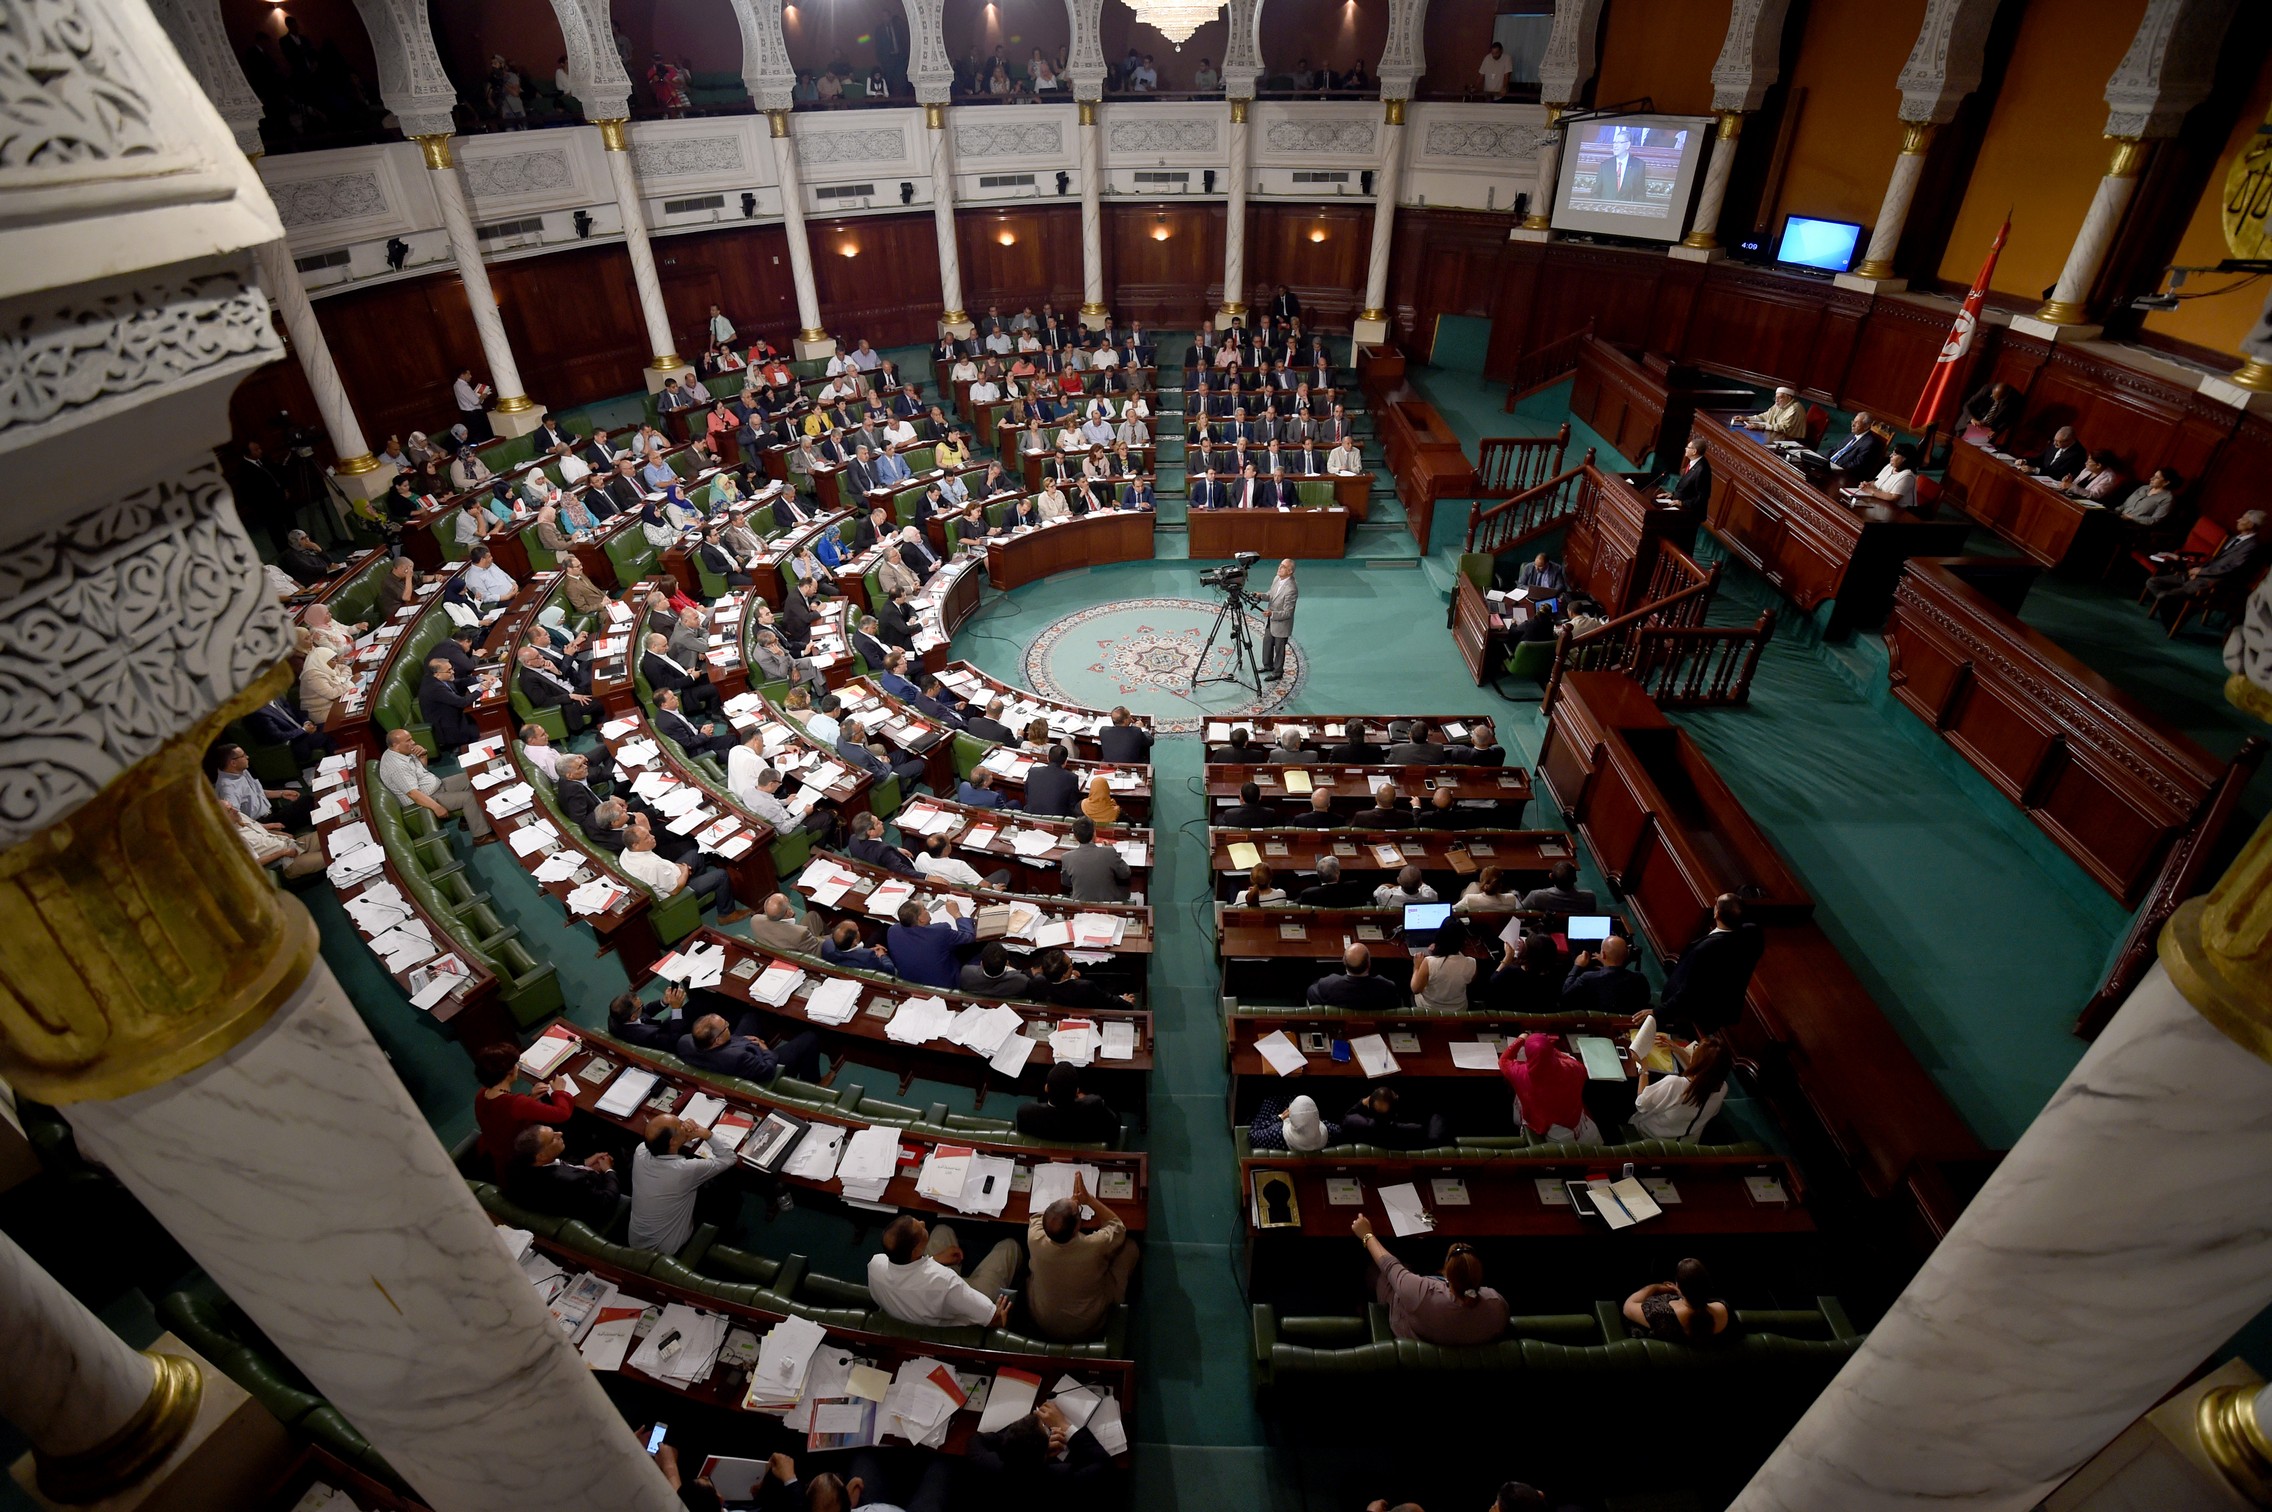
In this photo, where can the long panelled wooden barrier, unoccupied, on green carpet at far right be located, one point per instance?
(2098, 772)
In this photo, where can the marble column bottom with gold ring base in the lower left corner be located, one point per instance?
(97, 1413)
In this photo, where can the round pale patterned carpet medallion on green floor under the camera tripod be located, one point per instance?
(1142, 654)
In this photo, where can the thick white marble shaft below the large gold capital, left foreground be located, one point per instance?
(303, 1179)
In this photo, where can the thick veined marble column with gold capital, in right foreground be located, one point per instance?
(2123, 1240)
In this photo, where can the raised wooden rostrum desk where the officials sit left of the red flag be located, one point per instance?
(1805, 538)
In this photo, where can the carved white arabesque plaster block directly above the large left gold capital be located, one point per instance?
(119, 633)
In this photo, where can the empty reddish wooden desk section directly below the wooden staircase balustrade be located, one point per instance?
(1662, 824)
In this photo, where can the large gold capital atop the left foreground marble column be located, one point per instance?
(137, 936)
